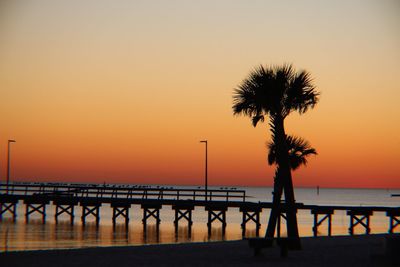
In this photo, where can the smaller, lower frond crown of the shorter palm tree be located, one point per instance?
(298, 150)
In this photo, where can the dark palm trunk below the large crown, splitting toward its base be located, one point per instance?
(283, 181)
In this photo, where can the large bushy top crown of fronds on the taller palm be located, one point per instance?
(274, 90)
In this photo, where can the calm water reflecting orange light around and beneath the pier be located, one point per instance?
(35, 235)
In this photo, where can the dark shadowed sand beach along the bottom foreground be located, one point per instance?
(323, 251)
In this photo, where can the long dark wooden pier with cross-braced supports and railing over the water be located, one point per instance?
(91, 197)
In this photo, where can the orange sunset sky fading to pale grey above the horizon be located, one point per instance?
(123, 91)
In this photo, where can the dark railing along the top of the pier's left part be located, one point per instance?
(102, 191)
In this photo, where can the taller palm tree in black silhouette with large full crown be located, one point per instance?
(274, 92)
